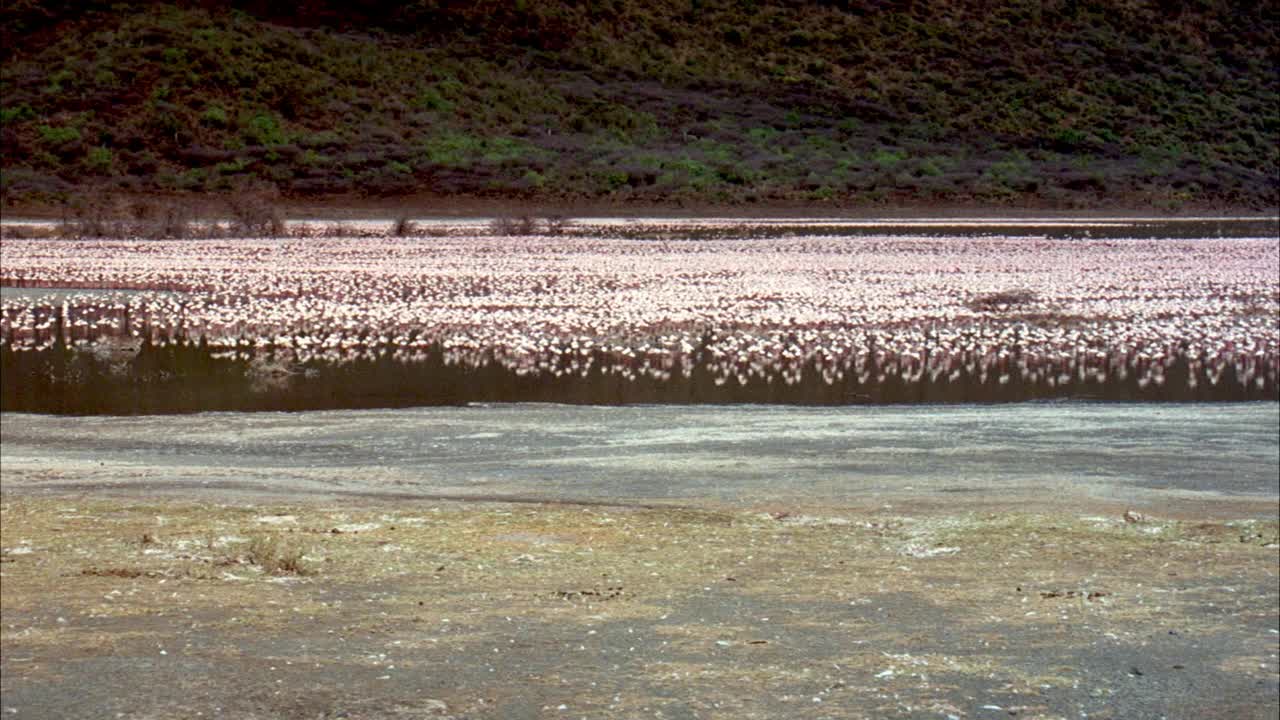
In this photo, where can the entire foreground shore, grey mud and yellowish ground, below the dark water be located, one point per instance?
(537, 562)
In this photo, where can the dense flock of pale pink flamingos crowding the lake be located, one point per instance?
(789, 309)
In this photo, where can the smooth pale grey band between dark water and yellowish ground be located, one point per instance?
(721, 454)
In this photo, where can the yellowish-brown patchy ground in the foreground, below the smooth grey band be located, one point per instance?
(136, 608)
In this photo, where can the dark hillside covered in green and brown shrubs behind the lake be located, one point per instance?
(1057, 104)
